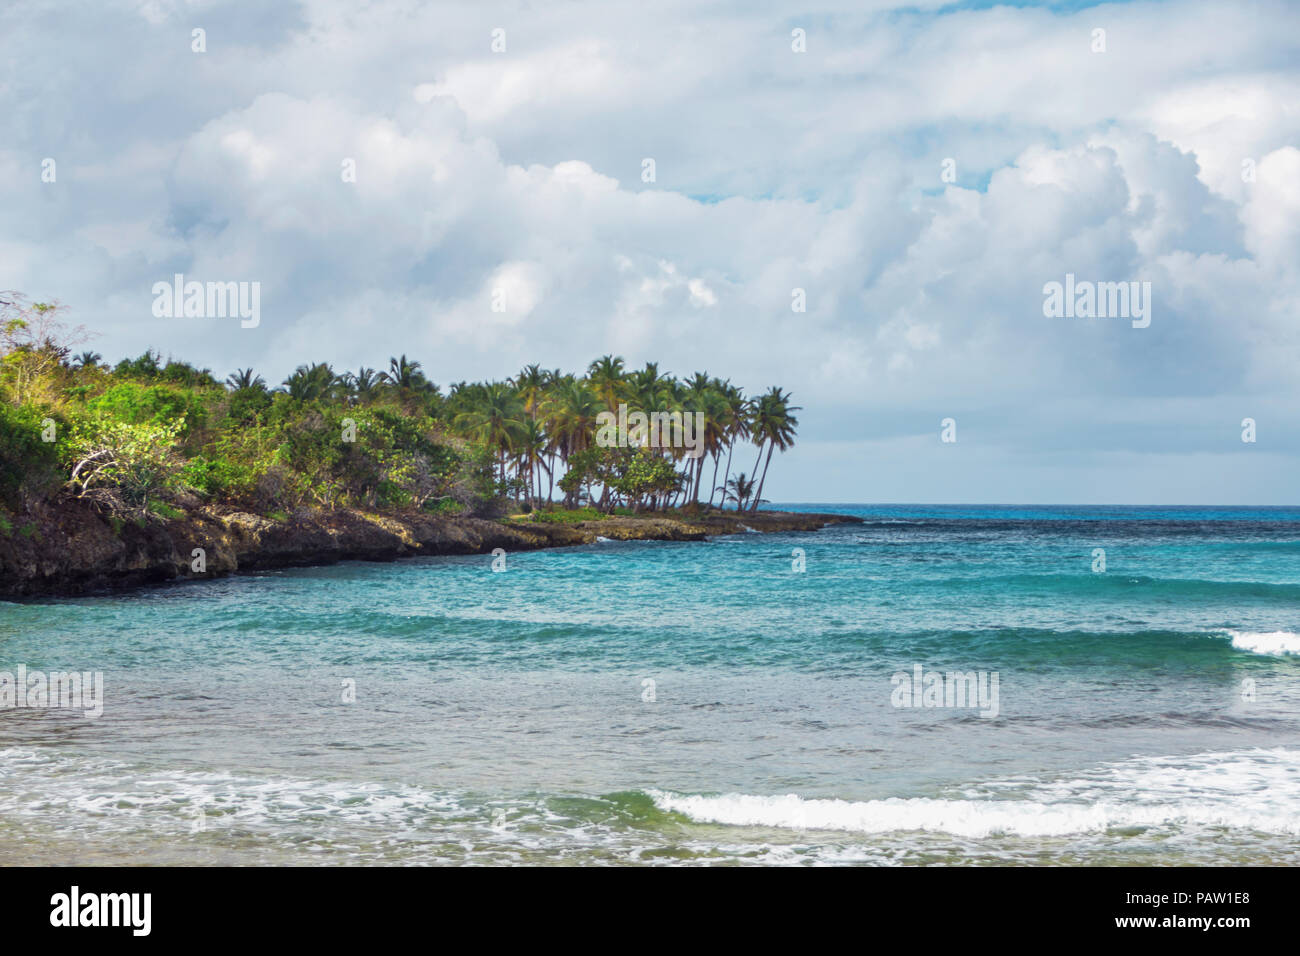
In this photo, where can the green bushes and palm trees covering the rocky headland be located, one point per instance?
(149, 439)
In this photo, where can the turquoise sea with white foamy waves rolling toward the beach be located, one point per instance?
(1150, 713)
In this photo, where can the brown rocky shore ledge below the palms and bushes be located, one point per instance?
(72, 550)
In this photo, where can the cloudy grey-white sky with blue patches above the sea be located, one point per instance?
(920, 171)
